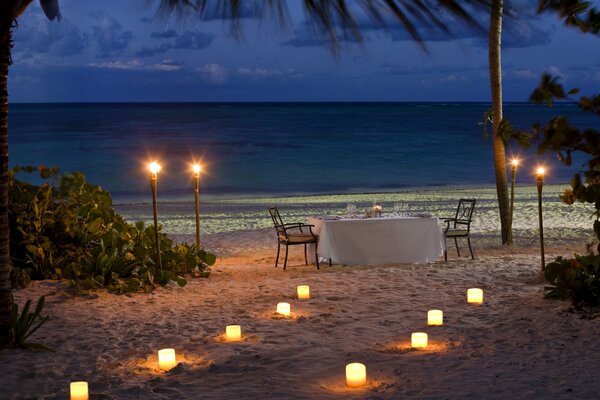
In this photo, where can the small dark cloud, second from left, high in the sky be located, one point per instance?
(110, 37)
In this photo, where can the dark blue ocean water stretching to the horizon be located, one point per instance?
(274, 149)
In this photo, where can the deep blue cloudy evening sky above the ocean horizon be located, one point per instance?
(118, 50)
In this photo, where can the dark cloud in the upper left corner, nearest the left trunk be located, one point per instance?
(36, 35)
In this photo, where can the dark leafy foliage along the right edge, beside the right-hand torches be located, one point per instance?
(577, 278)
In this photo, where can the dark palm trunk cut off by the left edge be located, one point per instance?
(5, 289)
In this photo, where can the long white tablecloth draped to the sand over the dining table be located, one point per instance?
(376, 241)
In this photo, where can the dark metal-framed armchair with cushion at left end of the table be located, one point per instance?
(292, 234)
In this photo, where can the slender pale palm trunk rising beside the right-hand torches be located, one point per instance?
(495, 46)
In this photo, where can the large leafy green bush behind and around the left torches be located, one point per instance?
(65, 228)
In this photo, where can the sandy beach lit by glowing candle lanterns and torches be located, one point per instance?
(515, 345)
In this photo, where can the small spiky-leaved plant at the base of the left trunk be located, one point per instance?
(27, 323)
